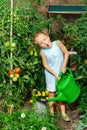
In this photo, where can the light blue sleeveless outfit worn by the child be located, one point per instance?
(55, 58)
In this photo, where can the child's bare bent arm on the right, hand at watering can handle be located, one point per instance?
(66, 55)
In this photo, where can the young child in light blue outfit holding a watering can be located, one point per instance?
(54, 57)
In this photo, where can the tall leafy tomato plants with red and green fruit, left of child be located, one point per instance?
(16, 54)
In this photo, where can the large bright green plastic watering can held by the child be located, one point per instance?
(67, 89)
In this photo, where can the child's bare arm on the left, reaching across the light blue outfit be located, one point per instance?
(46, 66)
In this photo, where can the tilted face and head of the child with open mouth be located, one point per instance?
(43, 41)
